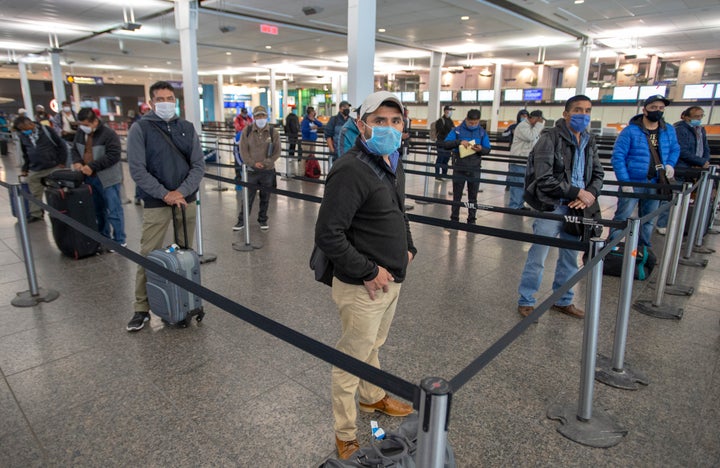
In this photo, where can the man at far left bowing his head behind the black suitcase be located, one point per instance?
(42, 152)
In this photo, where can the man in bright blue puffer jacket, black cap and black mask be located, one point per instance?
(633, 161)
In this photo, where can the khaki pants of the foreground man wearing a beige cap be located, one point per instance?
(365, 327)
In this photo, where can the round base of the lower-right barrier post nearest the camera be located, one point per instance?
(600, 431)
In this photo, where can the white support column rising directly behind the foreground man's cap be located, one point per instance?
(361, 49)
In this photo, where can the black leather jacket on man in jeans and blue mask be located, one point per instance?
(548, 177)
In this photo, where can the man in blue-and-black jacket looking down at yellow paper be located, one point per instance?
(467, 161)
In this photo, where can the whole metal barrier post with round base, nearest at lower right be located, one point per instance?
(579, 423)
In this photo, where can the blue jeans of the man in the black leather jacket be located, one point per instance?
(566, 264)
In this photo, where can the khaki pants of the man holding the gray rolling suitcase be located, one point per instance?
(155, 225)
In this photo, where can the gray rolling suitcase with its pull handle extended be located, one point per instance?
(173, 304)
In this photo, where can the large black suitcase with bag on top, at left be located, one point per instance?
(73, 198)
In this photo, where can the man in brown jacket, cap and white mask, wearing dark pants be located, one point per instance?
(260, 147)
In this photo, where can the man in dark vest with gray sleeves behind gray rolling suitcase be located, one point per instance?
(167, 164)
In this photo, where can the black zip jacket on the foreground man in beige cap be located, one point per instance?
(362, 223)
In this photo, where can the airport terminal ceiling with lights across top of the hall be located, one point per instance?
(133, 40)
